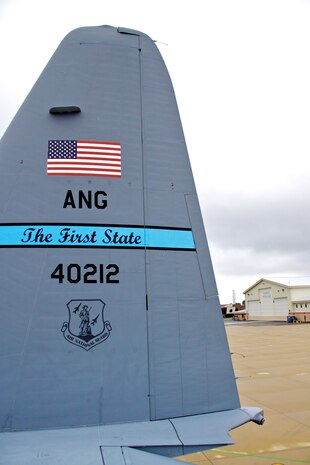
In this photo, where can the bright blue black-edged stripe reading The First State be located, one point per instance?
(95, 236)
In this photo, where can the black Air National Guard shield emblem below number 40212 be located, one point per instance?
(86, 327)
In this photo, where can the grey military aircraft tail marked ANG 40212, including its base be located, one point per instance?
(113, 349)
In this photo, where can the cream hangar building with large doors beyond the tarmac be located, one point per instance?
(271, 299)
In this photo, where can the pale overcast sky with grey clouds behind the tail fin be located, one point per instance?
(241, 74)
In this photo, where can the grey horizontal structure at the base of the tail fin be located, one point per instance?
(126, 444)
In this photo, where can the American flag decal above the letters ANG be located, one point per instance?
(84, 158)
